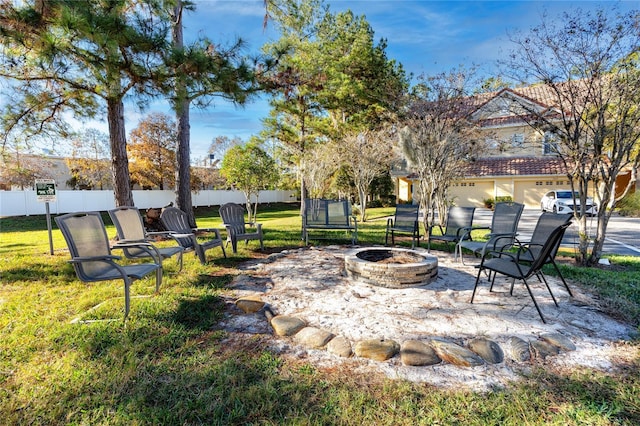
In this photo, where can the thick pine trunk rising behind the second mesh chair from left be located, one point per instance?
(119, 160)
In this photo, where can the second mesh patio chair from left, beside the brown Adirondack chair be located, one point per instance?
(130, 229)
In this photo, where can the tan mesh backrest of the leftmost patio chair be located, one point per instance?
(86, 236)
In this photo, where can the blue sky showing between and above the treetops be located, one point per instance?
(425, 36)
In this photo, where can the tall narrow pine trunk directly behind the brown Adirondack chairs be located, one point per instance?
(183, 155)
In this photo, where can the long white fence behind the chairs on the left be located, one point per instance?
(25, 203)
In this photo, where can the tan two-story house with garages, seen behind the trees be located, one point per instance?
(519, 162)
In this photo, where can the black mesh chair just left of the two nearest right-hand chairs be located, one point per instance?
(502, 231)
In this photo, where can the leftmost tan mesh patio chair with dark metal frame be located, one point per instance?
(91, 256)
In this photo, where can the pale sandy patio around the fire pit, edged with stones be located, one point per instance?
(311, 284)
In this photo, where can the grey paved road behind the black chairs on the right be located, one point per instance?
(623, 233)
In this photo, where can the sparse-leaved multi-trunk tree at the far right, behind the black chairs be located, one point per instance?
(589, 64)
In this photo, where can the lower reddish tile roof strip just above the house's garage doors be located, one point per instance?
(515, 166)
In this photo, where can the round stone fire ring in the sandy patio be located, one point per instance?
(391, 267)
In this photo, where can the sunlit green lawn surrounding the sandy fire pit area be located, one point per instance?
(170, 364)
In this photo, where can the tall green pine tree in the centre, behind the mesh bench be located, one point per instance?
(333, 80)
